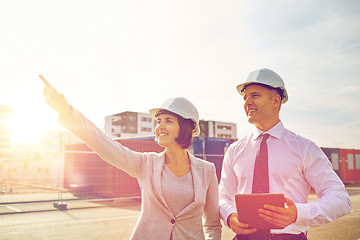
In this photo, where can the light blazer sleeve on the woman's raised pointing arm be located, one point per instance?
(109, 150)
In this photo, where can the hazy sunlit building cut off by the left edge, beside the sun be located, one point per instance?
(6, 115)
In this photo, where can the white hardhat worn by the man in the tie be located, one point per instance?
(266, 77)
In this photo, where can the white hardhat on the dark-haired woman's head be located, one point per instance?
(182, 107)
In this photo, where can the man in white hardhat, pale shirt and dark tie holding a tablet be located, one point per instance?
(295, 165)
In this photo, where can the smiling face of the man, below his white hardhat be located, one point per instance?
(260, 106)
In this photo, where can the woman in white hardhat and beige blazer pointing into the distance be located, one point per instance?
(179, 191)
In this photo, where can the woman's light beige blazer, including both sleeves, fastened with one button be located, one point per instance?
(199, 220)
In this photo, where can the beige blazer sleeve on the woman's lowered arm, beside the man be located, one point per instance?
(211, 216)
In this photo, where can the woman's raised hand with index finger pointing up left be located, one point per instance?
(55, 100)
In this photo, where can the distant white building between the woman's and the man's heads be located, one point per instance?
(217, 129)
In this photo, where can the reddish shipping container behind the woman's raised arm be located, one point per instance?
(86, 173)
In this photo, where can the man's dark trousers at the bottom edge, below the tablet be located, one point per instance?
(264, 236)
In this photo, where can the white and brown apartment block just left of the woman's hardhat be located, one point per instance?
(129, 124)
